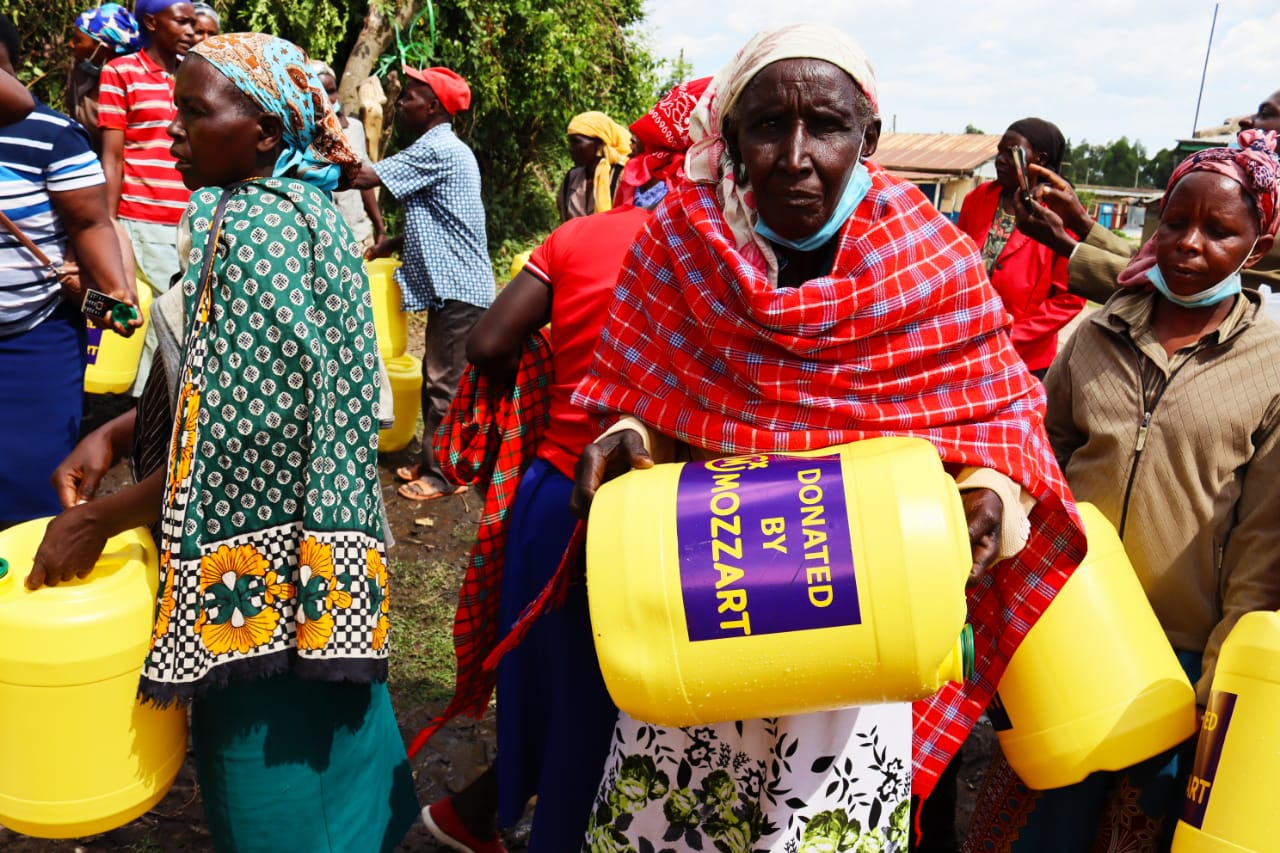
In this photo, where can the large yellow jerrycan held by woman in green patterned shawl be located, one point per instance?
(79, 752)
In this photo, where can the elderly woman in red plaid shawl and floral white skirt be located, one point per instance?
(790, 297)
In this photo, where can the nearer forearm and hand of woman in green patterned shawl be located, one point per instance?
(76, 539)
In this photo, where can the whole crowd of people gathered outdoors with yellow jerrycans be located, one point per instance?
(734, 275)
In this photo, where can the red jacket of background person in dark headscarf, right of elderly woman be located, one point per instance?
(1030, 279)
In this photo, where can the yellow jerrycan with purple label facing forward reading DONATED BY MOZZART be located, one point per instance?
(780, 583)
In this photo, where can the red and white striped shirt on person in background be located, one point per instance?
(136, 97)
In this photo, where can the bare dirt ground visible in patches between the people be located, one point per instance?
(455, 756)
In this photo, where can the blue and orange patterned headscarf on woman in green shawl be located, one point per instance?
(275, 75)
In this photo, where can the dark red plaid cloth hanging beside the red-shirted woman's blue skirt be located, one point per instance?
(490, 435)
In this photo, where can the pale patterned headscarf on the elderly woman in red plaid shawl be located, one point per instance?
(708, 161)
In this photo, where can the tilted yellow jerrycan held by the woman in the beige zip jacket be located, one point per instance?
(1095, 686)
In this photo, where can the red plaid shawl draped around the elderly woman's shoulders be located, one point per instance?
(907, 337)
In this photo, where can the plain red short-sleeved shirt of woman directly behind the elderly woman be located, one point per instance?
(580, 264)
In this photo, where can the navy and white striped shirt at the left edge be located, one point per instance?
(44, 153)
